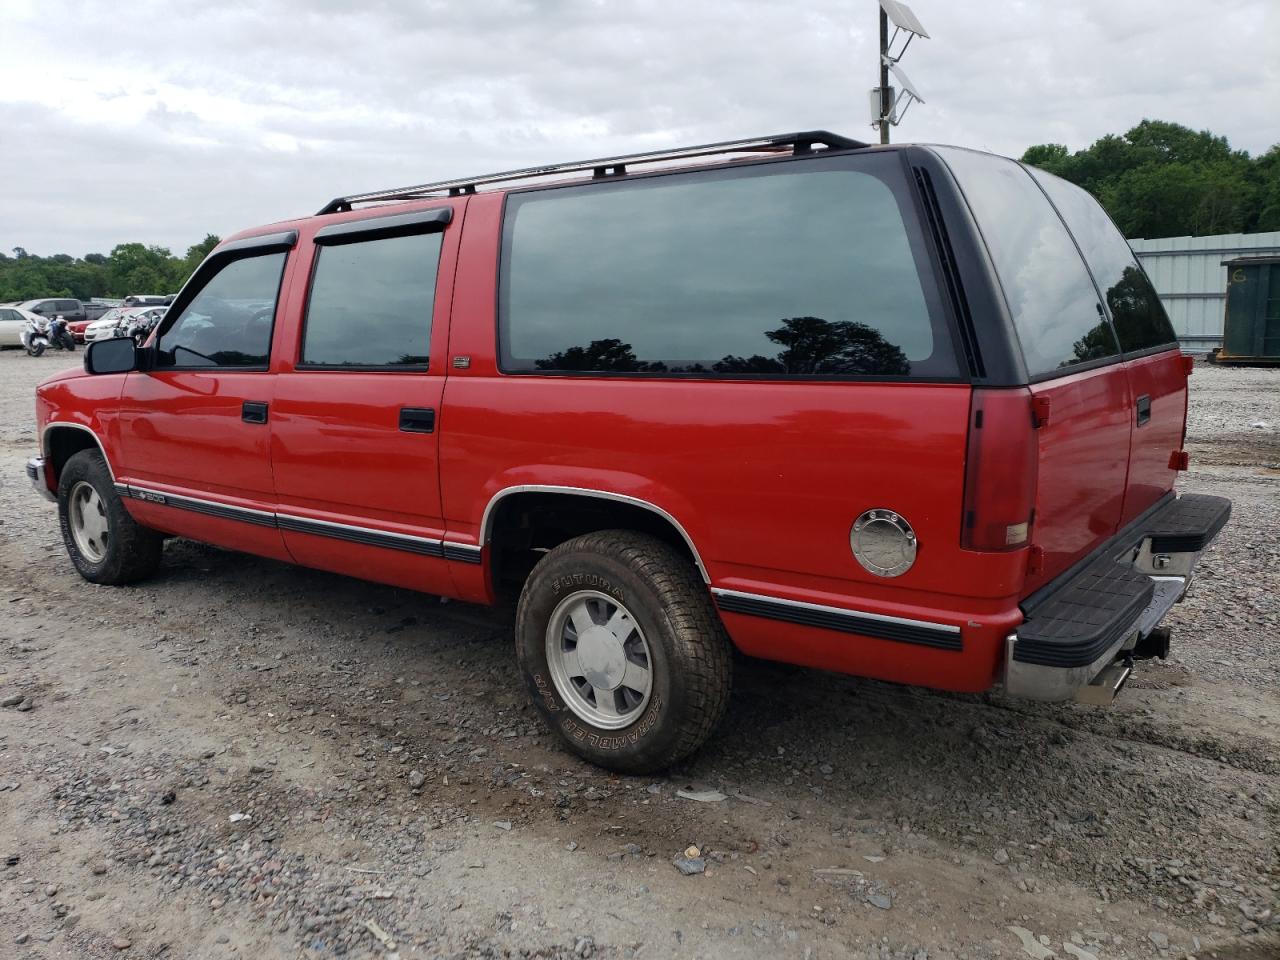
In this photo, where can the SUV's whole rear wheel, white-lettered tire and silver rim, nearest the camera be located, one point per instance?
(623, 651)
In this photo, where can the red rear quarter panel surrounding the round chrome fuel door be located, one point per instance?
(769, 508)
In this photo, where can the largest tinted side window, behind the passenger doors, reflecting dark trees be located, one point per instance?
(798, 269)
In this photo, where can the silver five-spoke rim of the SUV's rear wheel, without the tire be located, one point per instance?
(600, 660)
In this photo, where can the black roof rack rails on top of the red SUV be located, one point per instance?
(606, 167)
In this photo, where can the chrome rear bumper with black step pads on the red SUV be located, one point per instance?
(1081, 630)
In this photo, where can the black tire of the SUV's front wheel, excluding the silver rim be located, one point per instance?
(131, 552)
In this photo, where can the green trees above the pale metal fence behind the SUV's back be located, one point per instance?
(1164, 180)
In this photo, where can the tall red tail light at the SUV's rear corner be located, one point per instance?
(1002, 470)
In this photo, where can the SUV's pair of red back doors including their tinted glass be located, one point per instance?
(1107, 391)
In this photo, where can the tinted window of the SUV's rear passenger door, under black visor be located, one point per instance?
(372, 303)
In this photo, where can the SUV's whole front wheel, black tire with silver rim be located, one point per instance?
(104, 542)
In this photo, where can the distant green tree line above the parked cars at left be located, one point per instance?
(130, 268)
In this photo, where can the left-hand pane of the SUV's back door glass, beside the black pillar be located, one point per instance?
(1050, 295)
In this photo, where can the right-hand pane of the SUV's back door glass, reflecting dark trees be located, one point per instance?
(1136, 310)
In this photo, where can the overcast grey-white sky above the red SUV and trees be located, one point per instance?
(162, 122)
